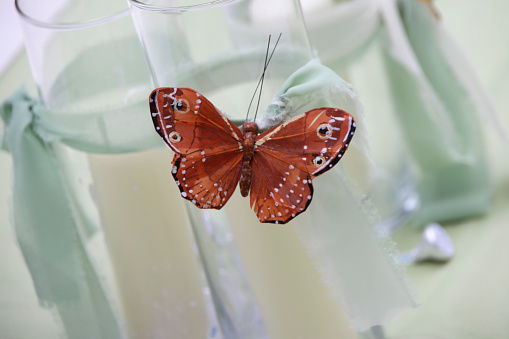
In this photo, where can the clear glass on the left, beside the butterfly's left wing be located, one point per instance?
(87, 61)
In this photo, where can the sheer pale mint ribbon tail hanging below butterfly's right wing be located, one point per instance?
(359, 266)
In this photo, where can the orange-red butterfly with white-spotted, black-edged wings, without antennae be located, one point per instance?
(275, 168)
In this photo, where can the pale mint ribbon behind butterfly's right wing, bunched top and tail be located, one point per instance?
(358, 265)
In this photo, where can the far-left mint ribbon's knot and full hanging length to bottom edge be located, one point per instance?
(61, 271)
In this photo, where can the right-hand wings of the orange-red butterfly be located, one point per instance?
(287, 158)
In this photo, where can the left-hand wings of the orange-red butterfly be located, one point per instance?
(208, 147)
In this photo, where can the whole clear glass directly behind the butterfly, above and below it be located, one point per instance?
(218, 49)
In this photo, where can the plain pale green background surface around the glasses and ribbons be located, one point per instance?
(467, 298)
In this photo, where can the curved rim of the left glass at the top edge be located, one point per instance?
(70, 25)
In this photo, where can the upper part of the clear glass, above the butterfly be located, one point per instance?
(218, 47)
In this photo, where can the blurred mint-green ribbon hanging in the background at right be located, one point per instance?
(441, 113)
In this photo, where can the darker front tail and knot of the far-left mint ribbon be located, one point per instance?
(41, 210)
